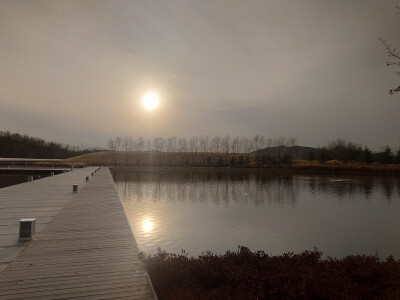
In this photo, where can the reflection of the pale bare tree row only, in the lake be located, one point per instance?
(201, 187)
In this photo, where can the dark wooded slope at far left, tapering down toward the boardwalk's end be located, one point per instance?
(16, 145)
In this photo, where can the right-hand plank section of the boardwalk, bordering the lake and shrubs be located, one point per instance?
(86, 251)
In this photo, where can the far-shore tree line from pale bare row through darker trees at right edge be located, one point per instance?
(241, 151)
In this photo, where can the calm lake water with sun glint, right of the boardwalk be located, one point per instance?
(203, 209)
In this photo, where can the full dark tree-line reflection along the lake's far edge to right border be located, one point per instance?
(202, 185)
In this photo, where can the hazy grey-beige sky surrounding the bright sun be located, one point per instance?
(75, 71)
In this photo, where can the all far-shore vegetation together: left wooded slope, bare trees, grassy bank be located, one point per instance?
(205, 151)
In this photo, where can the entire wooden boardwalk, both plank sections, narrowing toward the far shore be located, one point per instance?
(85, 248)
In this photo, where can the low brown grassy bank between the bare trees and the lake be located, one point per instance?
(236, 160)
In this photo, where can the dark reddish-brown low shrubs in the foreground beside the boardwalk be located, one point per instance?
(256, 275)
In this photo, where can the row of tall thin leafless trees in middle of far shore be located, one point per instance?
(197, 150)
